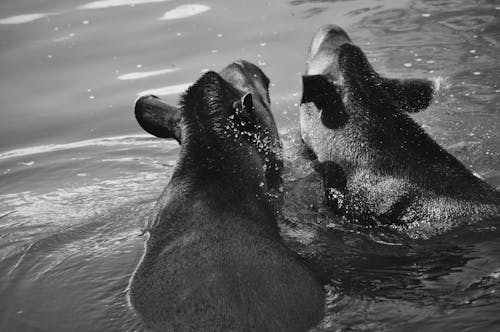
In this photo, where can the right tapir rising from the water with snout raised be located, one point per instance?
(379, 166)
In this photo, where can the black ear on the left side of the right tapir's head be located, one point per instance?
(327, 97)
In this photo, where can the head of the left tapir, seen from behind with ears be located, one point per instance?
(238, 97)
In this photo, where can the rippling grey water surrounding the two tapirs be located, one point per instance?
(79, 177)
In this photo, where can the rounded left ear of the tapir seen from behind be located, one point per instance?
(158, 118)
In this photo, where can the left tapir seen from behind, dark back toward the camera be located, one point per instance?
(214, 260)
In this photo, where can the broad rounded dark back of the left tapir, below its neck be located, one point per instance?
(218, 271)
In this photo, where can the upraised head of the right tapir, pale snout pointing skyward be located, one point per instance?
(351, 115)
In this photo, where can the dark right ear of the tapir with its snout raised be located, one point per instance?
(412, 95)
